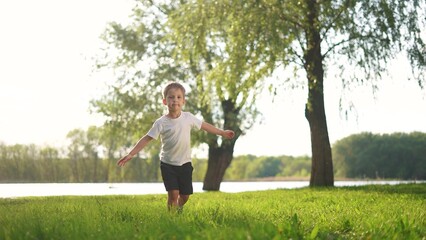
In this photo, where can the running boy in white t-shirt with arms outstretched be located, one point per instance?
(174, 130)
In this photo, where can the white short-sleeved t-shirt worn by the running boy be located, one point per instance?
(175, 137)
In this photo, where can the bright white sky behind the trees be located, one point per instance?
(47, 79)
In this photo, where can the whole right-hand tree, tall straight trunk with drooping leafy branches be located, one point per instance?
(358, 37)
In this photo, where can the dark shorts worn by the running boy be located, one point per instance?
(178, 177)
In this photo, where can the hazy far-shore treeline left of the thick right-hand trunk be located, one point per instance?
(86, 162)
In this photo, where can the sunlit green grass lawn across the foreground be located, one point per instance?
(367, 212)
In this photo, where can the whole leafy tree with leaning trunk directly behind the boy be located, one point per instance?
(154, 49)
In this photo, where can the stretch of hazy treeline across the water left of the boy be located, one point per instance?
(86, 159)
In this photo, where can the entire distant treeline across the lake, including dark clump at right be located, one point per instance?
(365, 155)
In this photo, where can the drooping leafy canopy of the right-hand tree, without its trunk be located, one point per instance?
(367, 34)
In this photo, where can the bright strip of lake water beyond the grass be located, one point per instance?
(11, 190)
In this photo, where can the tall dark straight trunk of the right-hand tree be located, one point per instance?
(322, 165)
